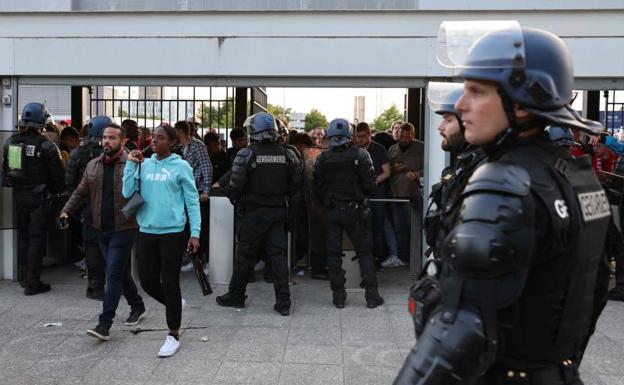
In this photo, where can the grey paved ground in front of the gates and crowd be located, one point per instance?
(317, 344)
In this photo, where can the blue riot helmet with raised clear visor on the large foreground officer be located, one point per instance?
(532, 67)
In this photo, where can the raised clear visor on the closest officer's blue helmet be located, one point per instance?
(481, 44)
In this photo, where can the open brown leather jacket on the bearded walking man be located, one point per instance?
(90, 189)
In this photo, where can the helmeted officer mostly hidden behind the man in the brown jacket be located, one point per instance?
(76, 165)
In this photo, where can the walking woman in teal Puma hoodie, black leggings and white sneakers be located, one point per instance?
(167, 186)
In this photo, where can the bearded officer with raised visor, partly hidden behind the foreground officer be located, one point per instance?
(465, 159)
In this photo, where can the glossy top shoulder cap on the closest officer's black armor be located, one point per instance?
(499, 177)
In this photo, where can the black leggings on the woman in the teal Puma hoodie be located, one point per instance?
(160, 259)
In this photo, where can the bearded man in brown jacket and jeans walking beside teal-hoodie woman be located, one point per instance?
(101, 185)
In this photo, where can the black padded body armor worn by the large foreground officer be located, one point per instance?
(522, 271)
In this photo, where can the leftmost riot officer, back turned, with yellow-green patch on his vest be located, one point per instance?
(34, 168)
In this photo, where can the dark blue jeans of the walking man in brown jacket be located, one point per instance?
(116, 247)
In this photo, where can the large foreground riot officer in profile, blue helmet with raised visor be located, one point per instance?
(523, 282)
